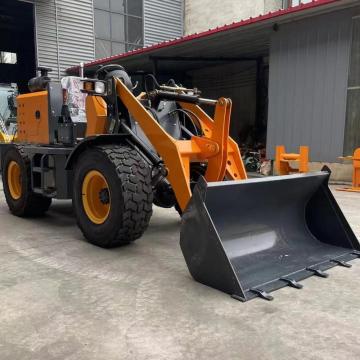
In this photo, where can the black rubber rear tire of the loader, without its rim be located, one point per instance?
(30, 203)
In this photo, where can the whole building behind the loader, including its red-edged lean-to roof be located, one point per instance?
(293, 74)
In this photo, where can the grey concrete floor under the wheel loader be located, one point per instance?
(62, 298)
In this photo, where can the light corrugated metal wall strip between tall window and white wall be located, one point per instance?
(163, 20)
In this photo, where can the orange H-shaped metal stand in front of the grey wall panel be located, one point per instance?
(282, 160)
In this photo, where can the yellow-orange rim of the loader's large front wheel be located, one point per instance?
(96, 197)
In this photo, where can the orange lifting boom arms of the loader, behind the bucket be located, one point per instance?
(220, 151)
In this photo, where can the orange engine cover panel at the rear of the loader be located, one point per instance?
(33, 118)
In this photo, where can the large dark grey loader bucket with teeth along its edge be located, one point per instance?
(250, 237)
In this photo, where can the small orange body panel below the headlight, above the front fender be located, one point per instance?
(96, 115)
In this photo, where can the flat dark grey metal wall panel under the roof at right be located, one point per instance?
(309, 63)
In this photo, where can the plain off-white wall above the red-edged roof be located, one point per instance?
(201, 15)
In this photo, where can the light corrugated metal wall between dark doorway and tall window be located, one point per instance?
(64, 33)
